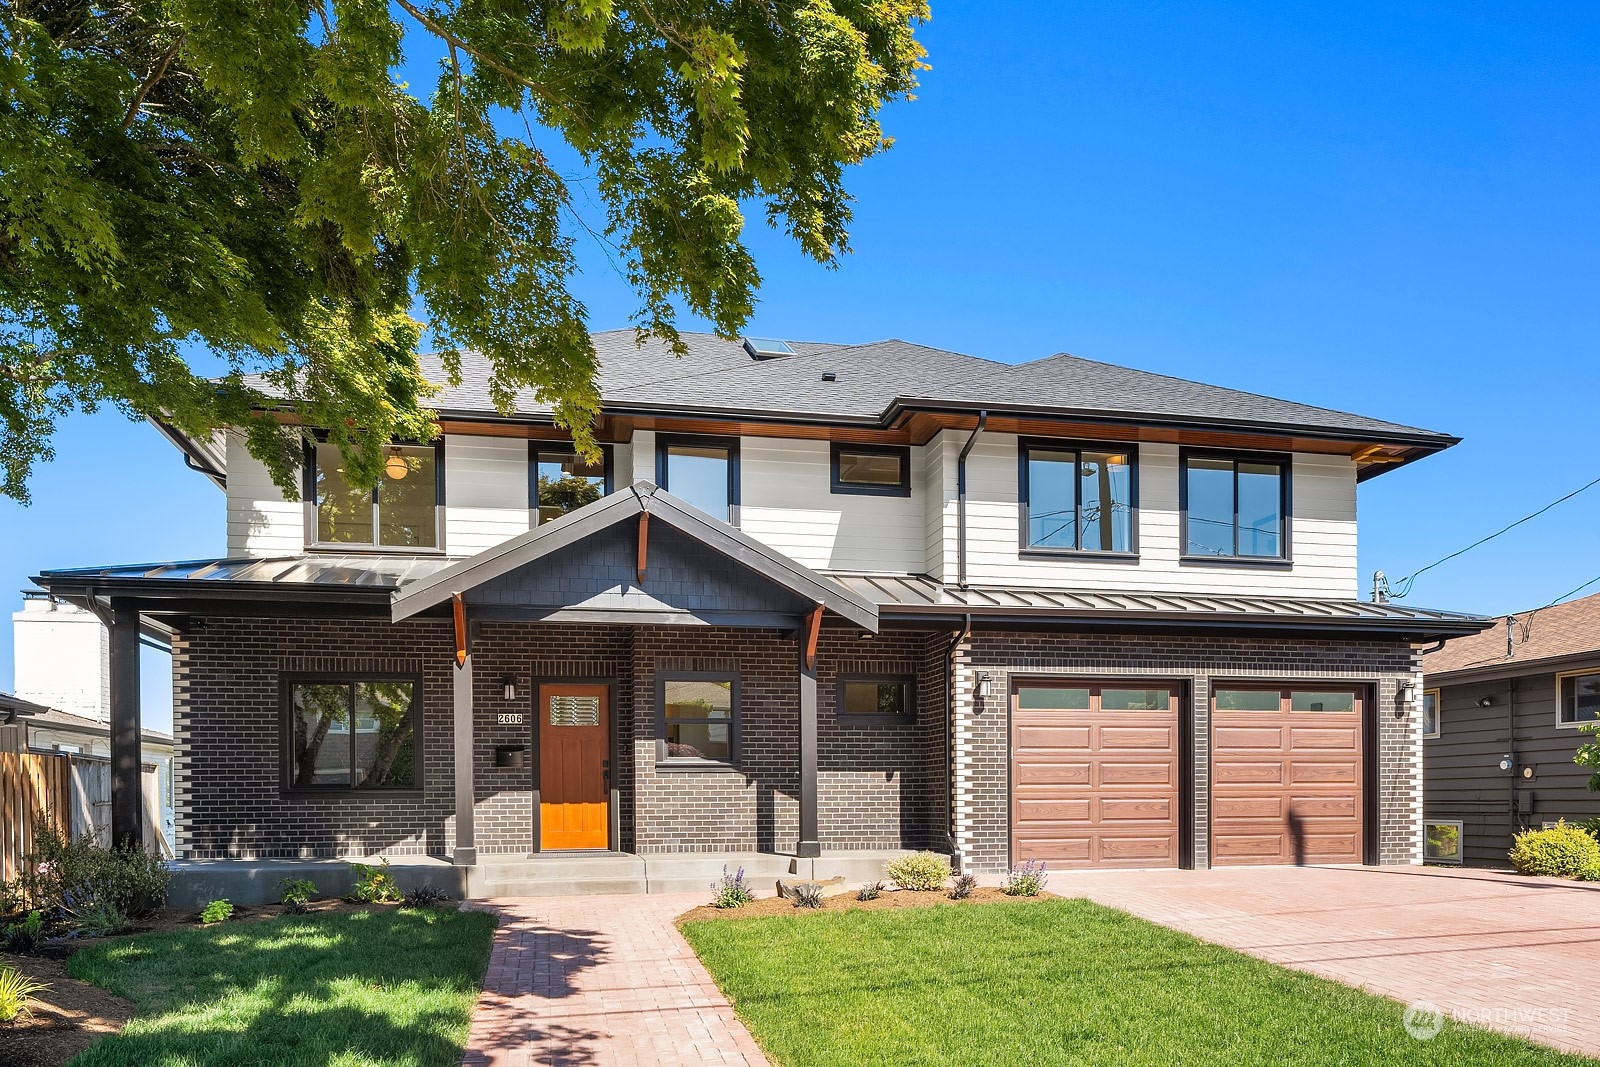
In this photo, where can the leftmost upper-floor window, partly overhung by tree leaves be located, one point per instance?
(399, 513)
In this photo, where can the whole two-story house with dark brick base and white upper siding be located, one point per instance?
(815, 601)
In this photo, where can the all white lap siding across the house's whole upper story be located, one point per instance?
(788, 503)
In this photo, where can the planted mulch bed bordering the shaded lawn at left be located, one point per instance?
(71, 1015)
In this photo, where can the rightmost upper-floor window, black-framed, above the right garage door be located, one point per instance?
(1236, 508)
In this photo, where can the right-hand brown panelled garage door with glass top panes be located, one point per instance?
(1286, 777)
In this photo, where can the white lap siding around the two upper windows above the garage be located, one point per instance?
(1324, 533)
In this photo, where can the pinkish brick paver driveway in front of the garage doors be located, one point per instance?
(1514, 954)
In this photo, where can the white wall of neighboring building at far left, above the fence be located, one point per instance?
(62, 658)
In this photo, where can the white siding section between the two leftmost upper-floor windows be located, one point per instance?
(486, 492)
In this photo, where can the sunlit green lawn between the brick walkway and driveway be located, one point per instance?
(1049, 983)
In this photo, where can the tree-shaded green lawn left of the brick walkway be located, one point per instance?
(353, 989)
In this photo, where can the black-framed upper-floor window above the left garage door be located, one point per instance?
(1078, 498)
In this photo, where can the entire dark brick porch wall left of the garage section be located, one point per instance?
(879, 786)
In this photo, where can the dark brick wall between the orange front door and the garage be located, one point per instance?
(878, 786)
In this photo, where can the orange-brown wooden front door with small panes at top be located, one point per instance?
(575, 767)
